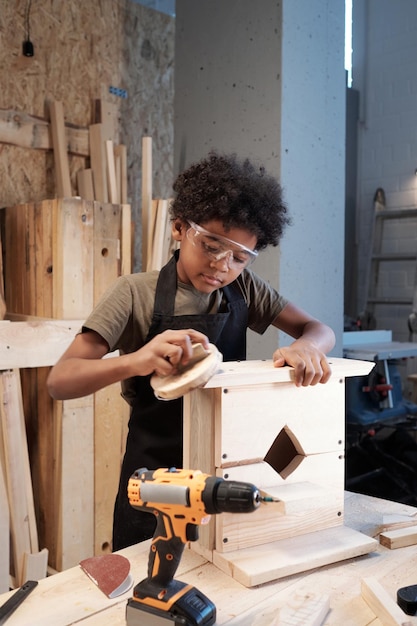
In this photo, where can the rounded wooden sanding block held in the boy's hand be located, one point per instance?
(198, 371)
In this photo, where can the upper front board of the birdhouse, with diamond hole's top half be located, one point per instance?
(285, 429)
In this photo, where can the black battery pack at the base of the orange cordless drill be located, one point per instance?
(192, 608)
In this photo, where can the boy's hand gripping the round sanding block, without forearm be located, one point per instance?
(165, 352)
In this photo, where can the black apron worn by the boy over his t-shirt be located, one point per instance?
(155, 427)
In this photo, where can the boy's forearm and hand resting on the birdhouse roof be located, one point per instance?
(307, 354)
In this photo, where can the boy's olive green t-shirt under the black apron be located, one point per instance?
(124, 313)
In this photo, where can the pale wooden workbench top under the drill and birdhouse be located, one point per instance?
(70, 597)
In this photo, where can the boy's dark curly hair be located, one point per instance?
(233, 190)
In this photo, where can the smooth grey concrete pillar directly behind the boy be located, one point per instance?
(232, 63)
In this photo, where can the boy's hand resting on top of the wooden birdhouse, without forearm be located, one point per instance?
(310, 364)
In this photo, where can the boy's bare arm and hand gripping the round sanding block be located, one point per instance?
(82, 370)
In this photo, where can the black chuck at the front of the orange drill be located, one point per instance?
(229, 496)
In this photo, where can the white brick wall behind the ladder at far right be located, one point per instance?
(384, 73)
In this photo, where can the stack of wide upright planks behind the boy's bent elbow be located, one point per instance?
(74, 250)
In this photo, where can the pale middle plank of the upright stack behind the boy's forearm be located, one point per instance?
(73, 292)
